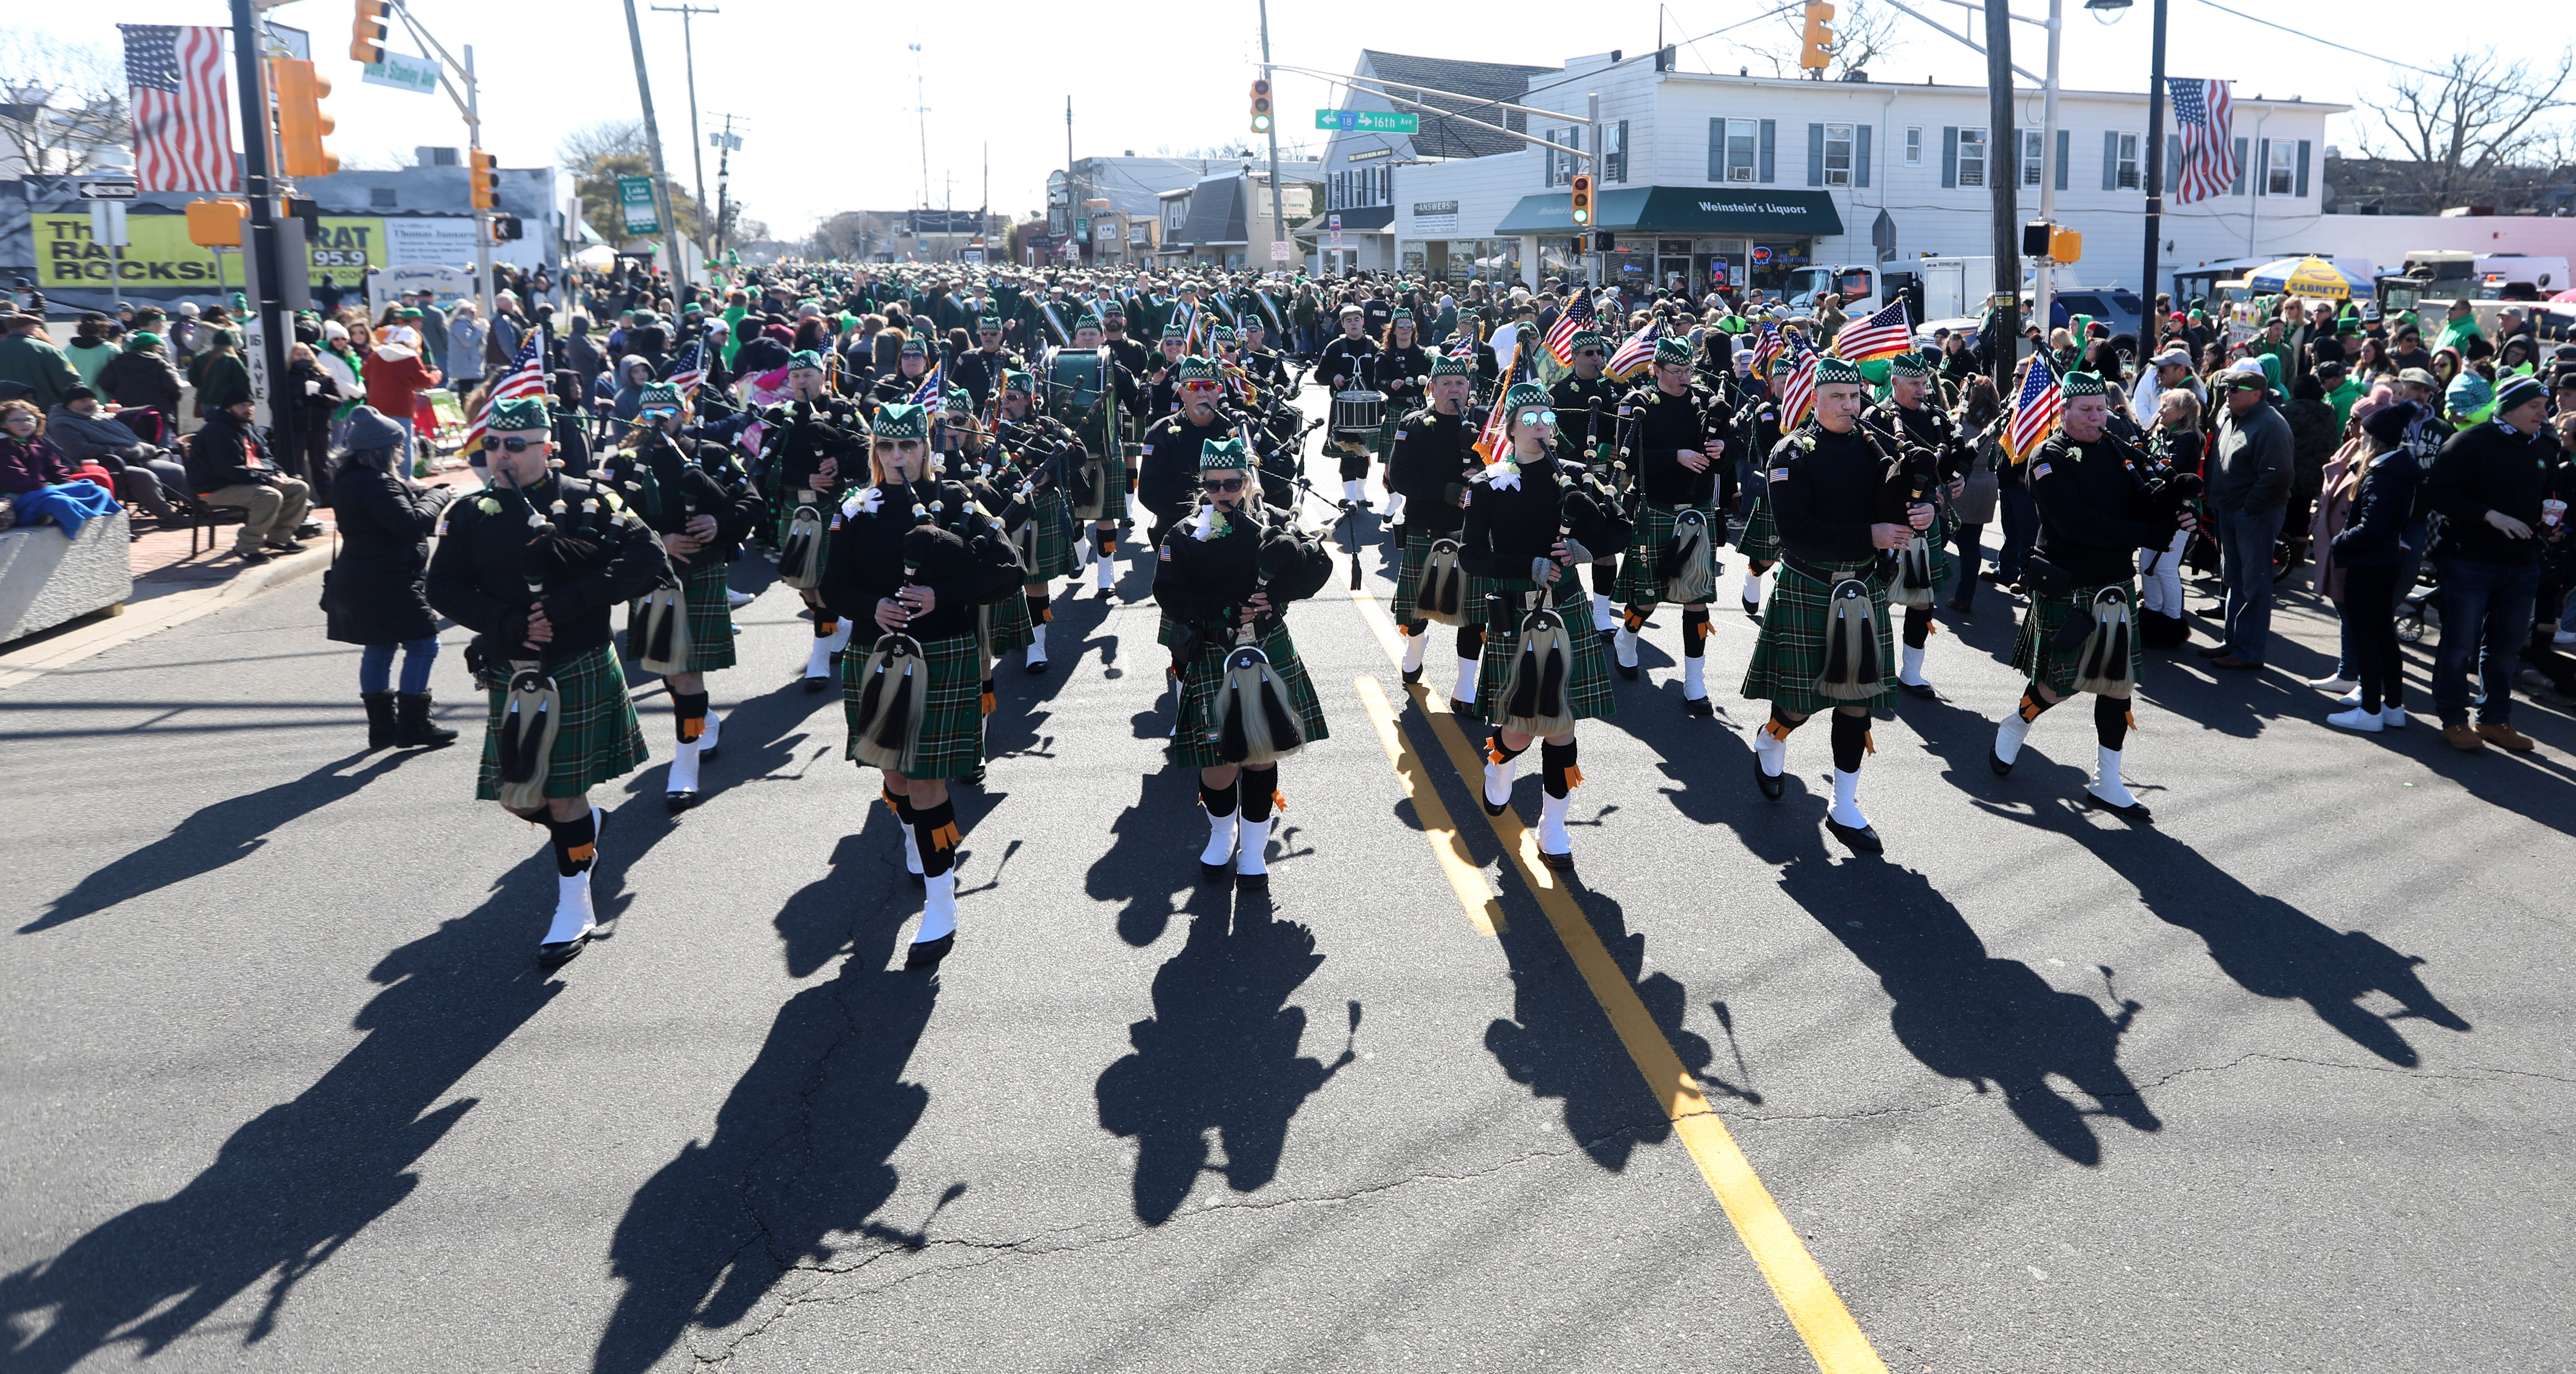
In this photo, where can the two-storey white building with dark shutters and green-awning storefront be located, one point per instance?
(1738, 182)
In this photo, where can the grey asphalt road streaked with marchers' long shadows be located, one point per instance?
(2276, 1084)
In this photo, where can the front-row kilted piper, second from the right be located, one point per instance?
(1838, 501)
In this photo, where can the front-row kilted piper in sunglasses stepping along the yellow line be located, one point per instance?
(1529, 519)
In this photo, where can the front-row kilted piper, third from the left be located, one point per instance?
(1225, 579)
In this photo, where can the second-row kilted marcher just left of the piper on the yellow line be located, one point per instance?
(1431, 465)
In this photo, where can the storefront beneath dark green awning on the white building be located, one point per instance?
(1719, 238)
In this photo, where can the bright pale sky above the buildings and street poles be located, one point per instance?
(828, 94)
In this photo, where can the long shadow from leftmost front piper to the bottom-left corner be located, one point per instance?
(305, 1177)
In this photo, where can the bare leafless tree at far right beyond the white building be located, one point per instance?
(2474, 125)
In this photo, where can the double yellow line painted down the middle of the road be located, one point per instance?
(1792, 1272)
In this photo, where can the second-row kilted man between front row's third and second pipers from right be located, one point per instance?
(1678, 434)
